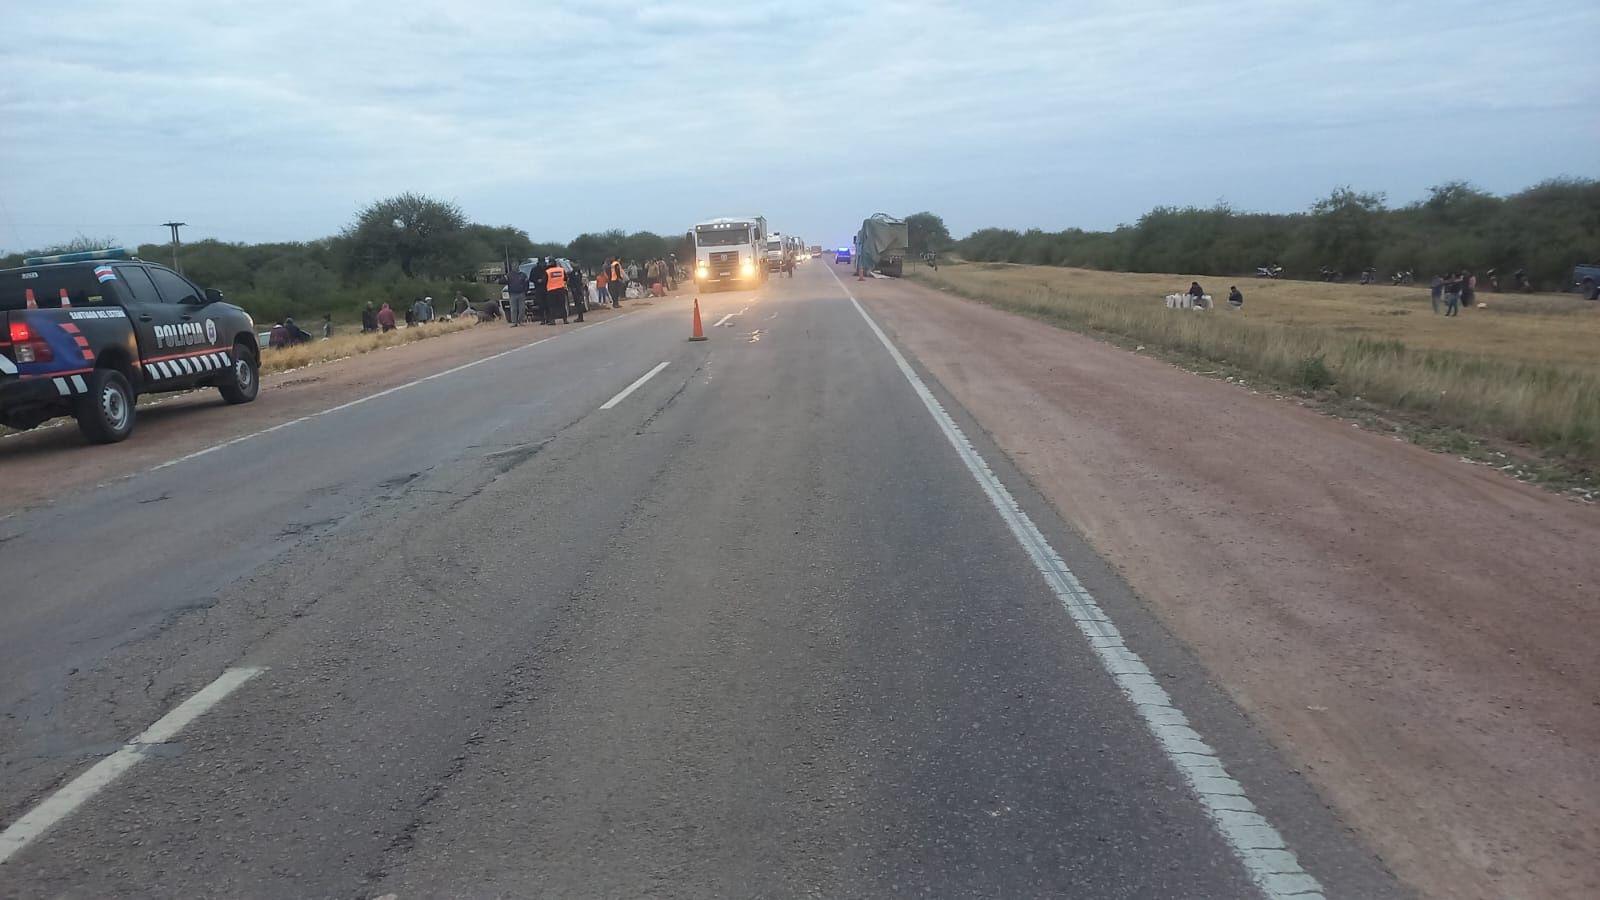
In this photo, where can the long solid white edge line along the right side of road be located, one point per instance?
(1271, 866)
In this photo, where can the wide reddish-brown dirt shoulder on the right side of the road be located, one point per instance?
(1415, 633)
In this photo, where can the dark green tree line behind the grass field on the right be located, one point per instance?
(1546, 231)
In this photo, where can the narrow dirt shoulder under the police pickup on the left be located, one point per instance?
(54, 460)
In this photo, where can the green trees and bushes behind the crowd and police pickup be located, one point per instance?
(398, 249)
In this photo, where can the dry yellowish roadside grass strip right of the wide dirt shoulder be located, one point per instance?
(1522, 371)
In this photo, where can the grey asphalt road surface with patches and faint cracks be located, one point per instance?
(754, 629)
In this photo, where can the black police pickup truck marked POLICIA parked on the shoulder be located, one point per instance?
(86, 334)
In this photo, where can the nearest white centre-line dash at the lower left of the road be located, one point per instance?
(78, 792)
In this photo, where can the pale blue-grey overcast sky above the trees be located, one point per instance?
(276, 121)
